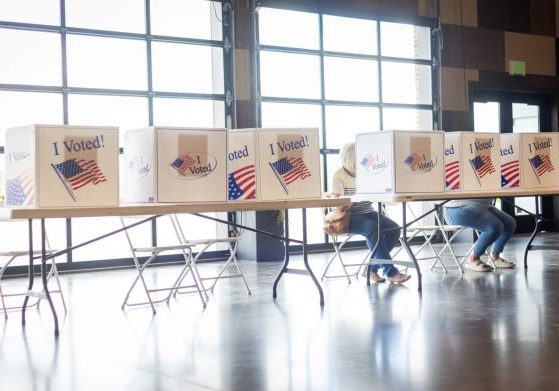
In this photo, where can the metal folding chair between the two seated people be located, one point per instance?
(429, 232)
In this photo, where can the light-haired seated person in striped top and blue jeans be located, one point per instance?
(363, 220)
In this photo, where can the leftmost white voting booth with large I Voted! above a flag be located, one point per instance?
(61, 166)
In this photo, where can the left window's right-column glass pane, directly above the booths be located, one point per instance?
(189, 113)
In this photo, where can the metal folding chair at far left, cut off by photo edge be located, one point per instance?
(53, 272)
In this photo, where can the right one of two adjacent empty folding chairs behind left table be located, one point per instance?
(231, 242)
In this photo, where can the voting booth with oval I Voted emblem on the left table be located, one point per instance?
(167, 164)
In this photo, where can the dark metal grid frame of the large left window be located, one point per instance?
(64, 90)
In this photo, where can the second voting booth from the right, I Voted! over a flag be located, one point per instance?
(472, 161)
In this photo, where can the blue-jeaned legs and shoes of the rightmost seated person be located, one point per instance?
(494, 226)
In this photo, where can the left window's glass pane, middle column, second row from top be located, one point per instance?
(99, 62)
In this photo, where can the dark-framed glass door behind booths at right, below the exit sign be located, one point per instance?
(503, 112)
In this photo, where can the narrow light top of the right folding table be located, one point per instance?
(409, 197)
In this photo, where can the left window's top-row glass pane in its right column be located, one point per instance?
(191, 19)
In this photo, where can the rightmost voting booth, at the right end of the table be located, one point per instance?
(532, 157)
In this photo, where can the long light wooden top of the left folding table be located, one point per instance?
(156, 209)
